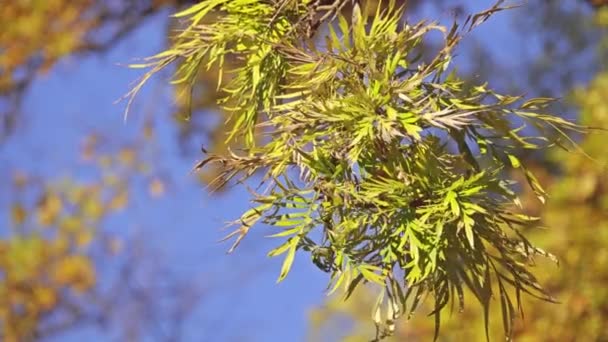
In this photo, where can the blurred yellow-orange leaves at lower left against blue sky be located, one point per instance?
(58, 242)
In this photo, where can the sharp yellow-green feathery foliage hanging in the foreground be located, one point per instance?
(379, 162)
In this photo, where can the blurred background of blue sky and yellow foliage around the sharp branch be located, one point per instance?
(107, 235)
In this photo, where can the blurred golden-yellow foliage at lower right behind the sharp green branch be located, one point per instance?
(576, 214)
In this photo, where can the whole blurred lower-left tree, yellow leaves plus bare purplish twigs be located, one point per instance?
(64, 268)
